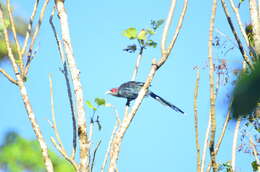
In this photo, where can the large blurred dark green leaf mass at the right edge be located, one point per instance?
(246, 93)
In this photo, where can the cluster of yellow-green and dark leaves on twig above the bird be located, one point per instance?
(142, 36)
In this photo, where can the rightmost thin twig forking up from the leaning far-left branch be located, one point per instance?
(35, 34)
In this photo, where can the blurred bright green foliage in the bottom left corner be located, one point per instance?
(18, 154)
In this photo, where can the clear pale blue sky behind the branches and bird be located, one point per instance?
(159, 139)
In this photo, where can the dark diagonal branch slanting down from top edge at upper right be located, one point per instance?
(240, 46)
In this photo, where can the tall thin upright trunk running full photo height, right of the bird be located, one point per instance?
(212, 89)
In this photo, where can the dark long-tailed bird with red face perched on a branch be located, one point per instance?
(130, 90)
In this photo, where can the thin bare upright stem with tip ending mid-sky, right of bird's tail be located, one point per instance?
(196, 119)
